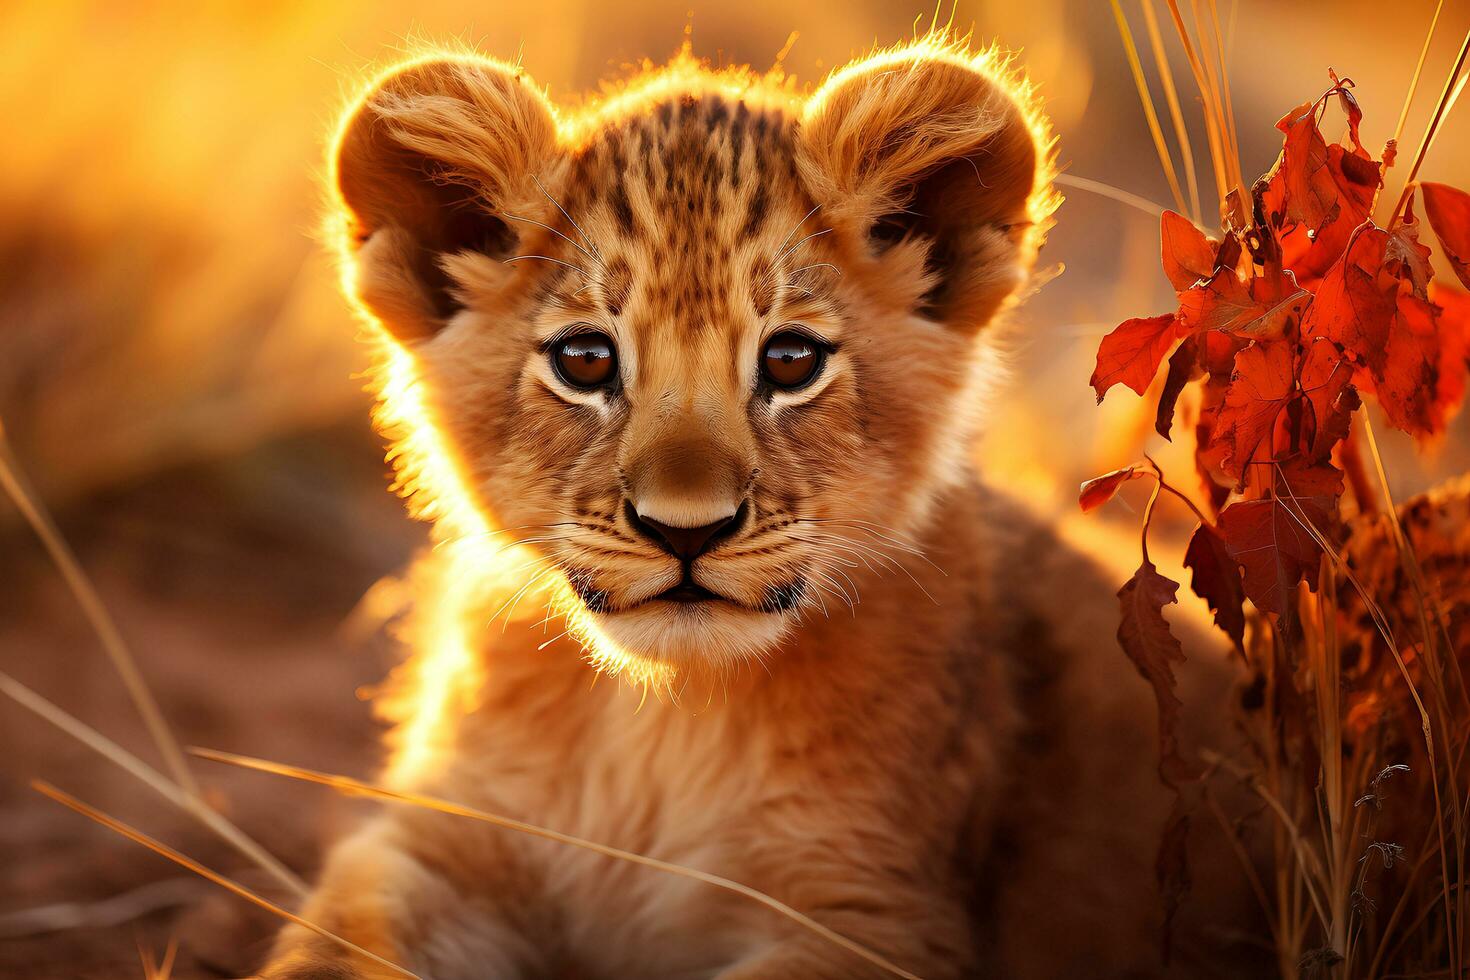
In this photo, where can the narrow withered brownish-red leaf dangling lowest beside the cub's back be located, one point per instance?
(1146, 638)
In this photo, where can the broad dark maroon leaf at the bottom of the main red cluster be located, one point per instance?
(1274, 549)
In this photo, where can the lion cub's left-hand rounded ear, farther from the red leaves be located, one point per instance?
(427, 164)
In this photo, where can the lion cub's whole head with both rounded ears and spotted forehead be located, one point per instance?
(712, 350)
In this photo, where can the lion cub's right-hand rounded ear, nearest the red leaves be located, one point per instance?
(934, 162)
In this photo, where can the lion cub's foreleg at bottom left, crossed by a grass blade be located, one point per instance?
(404, 896)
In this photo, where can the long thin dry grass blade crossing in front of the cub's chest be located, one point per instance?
(348, 785)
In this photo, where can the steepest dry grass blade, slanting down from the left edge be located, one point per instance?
(98, 615)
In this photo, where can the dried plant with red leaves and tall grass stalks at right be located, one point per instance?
(1350, 616)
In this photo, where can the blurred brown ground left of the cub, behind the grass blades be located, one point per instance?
(236, 583)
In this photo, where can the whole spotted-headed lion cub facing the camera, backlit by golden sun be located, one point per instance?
(706, 358)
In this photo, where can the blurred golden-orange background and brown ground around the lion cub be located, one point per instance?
(180, 378)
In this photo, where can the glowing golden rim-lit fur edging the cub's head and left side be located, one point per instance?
(478, 566)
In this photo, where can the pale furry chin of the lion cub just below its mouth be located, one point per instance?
(693, 634)
